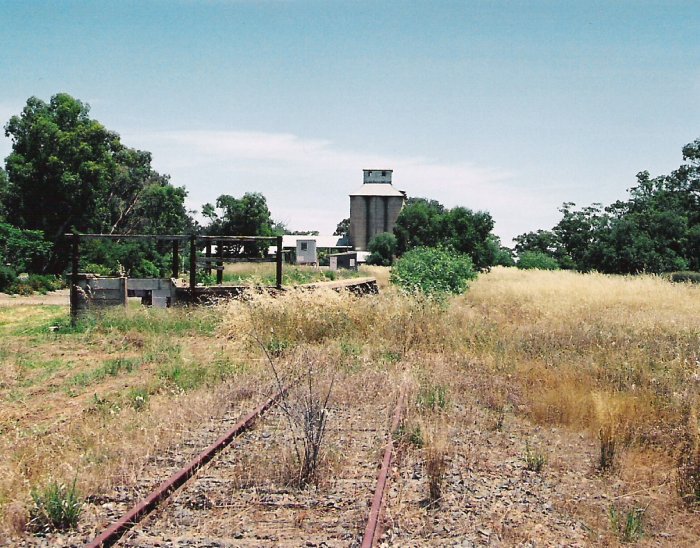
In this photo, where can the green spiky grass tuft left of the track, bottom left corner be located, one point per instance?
(56, 508)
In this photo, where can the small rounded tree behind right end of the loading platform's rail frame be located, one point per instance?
(246, 216)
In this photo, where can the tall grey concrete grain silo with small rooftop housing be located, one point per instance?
(374, 208)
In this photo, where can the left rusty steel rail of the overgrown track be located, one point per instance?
(112, 534)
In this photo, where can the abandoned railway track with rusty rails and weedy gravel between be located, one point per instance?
(236, 493)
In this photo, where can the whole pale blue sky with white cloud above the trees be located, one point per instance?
(510, 107)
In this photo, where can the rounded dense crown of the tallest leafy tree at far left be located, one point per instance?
(60, 167)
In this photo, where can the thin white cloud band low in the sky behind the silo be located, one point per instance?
(307, 181)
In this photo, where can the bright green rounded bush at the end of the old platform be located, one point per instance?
(433, 271)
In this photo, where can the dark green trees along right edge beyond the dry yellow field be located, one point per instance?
(656, 230)
